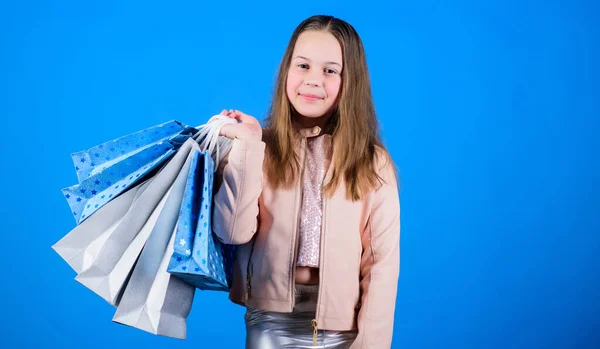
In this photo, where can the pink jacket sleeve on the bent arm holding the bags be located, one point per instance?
(240, 181)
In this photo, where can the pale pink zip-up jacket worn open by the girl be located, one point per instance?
(360, 246)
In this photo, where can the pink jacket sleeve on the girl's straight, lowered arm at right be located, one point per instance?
(380, 266)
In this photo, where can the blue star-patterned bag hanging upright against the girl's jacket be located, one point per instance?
(199, 257)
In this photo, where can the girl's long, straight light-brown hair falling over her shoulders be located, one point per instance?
(353, 124)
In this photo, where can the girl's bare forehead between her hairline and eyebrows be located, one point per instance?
(320, 46)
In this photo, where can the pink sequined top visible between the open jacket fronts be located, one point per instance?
(318, 157)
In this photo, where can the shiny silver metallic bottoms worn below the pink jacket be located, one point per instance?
(273, 330)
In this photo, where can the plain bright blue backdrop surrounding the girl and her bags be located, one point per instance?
(491, 111)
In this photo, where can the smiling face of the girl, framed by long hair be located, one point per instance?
(315, 75)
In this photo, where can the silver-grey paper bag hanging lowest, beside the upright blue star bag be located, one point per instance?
(154, 300)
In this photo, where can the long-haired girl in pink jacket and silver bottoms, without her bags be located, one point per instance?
(312, 201)
